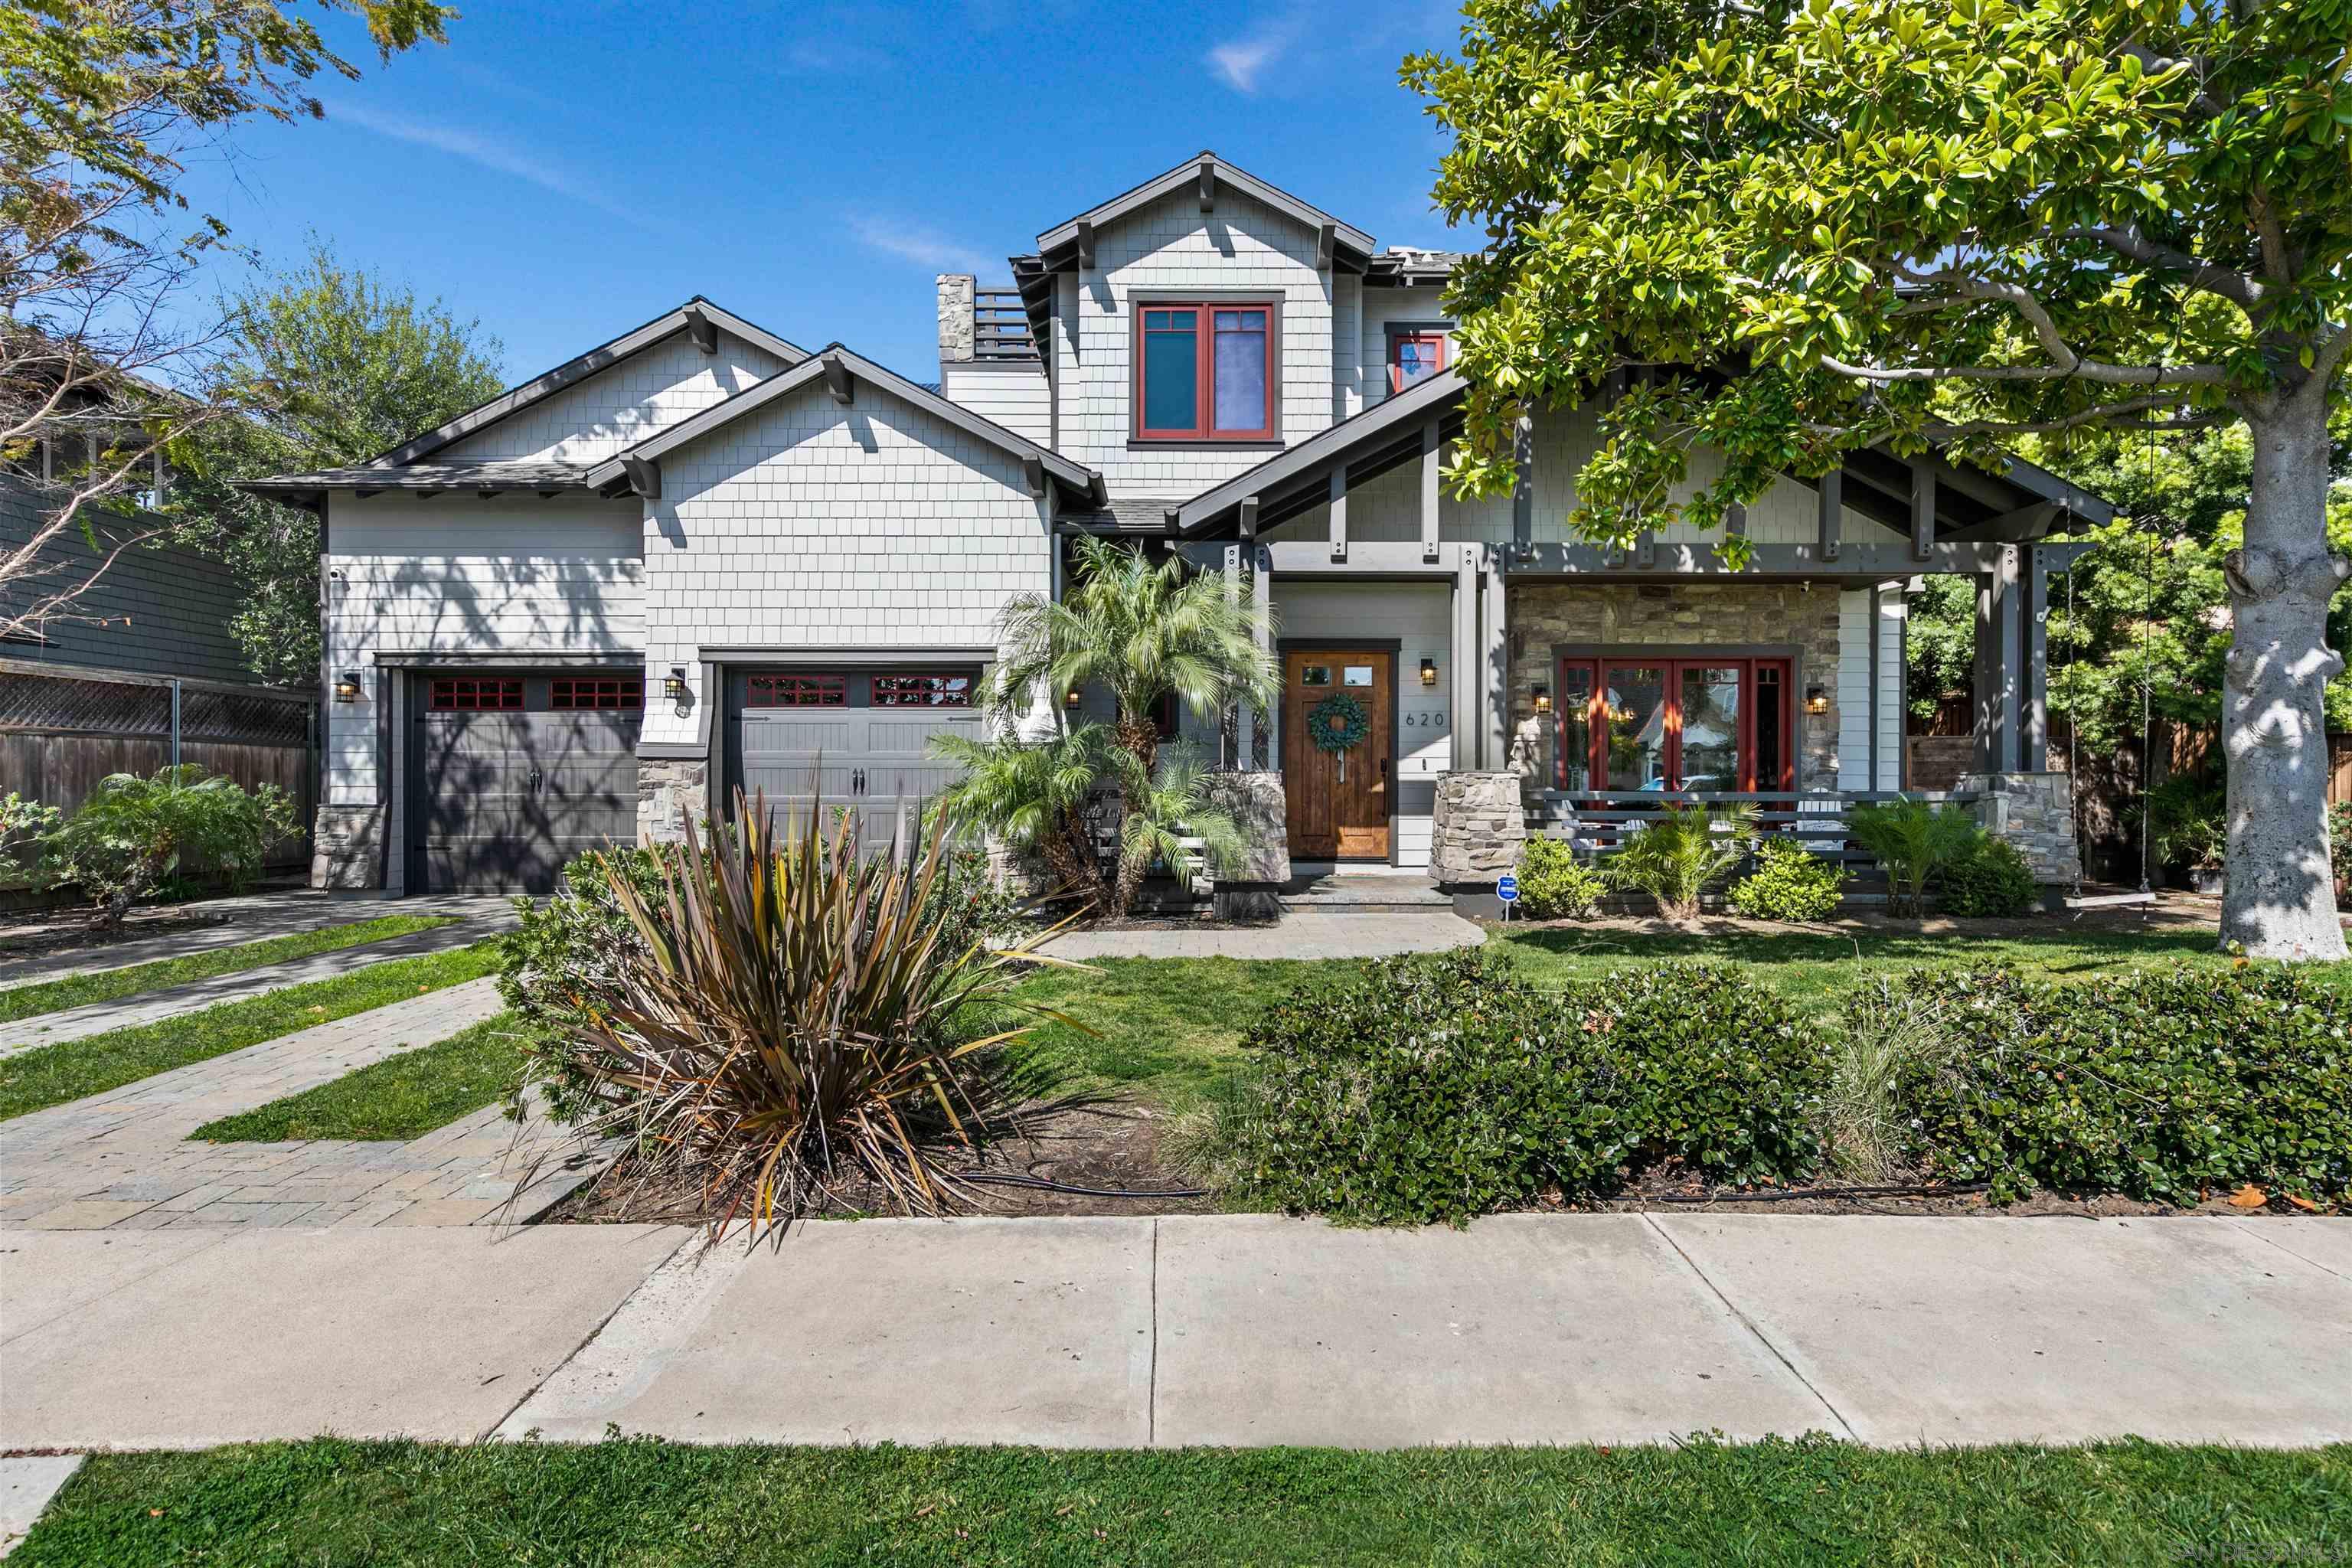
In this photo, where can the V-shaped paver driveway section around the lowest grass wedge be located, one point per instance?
(123, 1158)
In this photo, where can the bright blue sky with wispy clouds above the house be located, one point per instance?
(566, 173)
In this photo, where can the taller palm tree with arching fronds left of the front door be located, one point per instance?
(1142, 634)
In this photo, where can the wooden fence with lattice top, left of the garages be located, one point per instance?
(62, 730)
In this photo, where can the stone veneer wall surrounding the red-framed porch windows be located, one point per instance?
(1671, 615)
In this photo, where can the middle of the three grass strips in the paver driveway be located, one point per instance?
(95, 1064)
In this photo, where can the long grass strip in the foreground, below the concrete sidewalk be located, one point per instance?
(1800, 1503)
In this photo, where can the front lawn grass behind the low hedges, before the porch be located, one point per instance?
(1170, 1028)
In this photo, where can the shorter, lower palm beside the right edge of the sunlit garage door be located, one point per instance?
(1034, 796)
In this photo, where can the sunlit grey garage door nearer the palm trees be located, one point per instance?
(857, 739)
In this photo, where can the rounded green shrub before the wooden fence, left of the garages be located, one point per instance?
(140, 836)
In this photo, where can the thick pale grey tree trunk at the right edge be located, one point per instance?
(2280, 897)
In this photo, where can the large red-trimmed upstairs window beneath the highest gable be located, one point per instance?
(1205, 373)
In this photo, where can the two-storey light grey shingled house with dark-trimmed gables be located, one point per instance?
(702, 558)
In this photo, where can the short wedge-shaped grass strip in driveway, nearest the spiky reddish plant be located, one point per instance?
(403, 1097)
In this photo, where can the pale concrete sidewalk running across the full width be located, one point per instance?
(1217, 1329)
